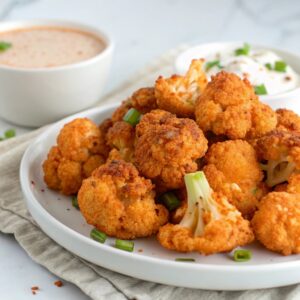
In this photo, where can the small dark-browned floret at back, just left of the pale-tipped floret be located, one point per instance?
(144, 100)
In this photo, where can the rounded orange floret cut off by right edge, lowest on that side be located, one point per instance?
(277, 222)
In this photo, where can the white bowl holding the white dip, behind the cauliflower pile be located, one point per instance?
(290, 99)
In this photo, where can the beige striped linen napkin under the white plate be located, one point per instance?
(96, 282)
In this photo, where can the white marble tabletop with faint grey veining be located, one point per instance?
(142, 30)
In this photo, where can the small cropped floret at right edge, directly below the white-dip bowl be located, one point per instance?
(288, 120)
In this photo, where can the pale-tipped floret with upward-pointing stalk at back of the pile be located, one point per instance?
(178, 94)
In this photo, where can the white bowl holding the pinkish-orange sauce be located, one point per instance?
(34, 97)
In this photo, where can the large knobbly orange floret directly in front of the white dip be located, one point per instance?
(228, 106)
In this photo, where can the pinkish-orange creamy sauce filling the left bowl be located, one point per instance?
(46, 47)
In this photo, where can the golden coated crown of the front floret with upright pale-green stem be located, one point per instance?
(229, 231)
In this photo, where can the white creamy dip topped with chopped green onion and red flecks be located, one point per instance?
(265, 69)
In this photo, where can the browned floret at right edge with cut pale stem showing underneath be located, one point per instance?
(281, 151)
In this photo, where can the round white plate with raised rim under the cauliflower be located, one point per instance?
(64, 224)
